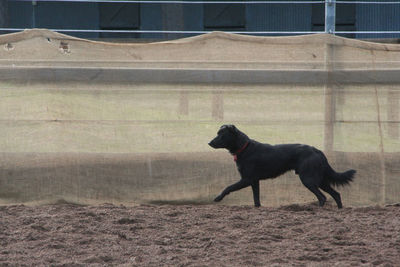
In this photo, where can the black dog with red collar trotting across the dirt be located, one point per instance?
(256, 161)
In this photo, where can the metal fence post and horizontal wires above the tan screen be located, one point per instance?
(330, 16)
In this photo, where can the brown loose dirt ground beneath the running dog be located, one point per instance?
(207, 235)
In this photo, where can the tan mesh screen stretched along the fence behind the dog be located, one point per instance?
(90, 122)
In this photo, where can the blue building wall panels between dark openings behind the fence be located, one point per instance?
(265, 17)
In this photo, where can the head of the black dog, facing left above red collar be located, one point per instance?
(227, 137)
